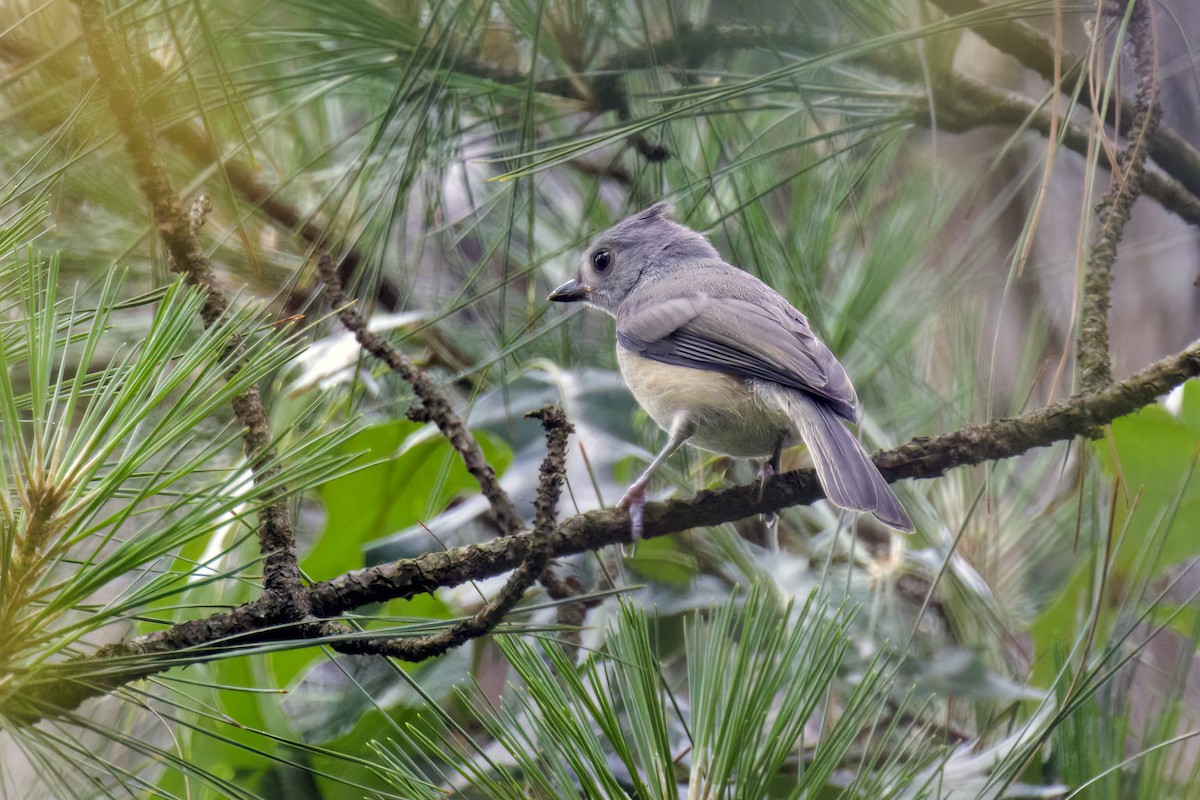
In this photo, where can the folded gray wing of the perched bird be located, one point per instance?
(766, 341)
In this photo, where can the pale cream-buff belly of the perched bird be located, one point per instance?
(729, 416)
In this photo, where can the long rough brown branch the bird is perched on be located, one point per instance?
(63, 687)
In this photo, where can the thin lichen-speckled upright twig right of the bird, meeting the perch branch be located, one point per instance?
(1095, 364)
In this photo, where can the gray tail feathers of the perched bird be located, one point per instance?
(848, 477)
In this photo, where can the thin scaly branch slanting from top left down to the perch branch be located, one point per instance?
(281, 573)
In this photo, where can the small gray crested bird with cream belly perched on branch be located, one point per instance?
(721, 360)
